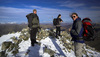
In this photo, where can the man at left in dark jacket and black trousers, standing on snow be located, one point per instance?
(34, 26)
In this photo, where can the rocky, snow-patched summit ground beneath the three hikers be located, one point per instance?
(48, 45)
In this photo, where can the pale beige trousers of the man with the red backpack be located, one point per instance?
(78, 48)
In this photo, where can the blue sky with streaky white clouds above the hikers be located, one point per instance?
(15, 11)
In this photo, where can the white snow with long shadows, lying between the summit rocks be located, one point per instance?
(38, 50)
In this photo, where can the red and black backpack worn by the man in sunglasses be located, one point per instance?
(88, 33)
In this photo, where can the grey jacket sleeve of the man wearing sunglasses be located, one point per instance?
(77, 29)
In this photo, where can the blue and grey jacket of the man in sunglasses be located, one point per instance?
(77, 31)
